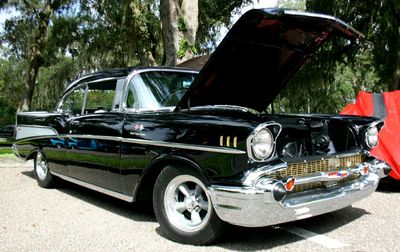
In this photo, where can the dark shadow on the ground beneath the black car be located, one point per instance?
(235, 238)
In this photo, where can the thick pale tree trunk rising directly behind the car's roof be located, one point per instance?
(179, 23)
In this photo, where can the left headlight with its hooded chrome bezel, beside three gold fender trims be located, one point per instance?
(263, 132)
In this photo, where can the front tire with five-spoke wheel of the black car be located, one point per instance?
(183, 207)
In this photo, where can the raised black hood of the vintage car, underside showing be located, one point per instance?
(259, 55)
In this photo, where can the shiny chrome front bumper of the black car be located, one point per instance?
(264, 204)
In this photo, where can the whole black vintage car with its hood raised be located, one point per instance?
(204, 147)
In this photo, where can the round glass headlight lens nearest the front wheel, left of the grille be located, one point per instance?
(262, 144)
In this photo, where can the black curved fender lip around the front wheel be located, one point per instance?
(145, 185)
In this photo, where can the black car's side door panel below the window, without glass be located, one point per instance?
(94, 149)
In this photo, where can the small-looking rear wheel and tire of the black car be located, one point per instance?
(42, 172)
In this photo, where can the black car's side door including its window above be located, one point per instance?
(94, 135)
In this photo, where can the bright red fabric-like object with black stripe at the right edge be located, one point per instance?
(389, 137)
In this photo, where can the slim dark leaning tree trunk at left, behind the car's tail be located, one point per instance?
(35, 55)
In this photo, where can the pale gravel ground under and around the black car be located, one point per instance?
(72, 218)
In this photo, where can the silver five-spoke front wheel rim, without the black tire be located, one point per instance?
(187, 204)
